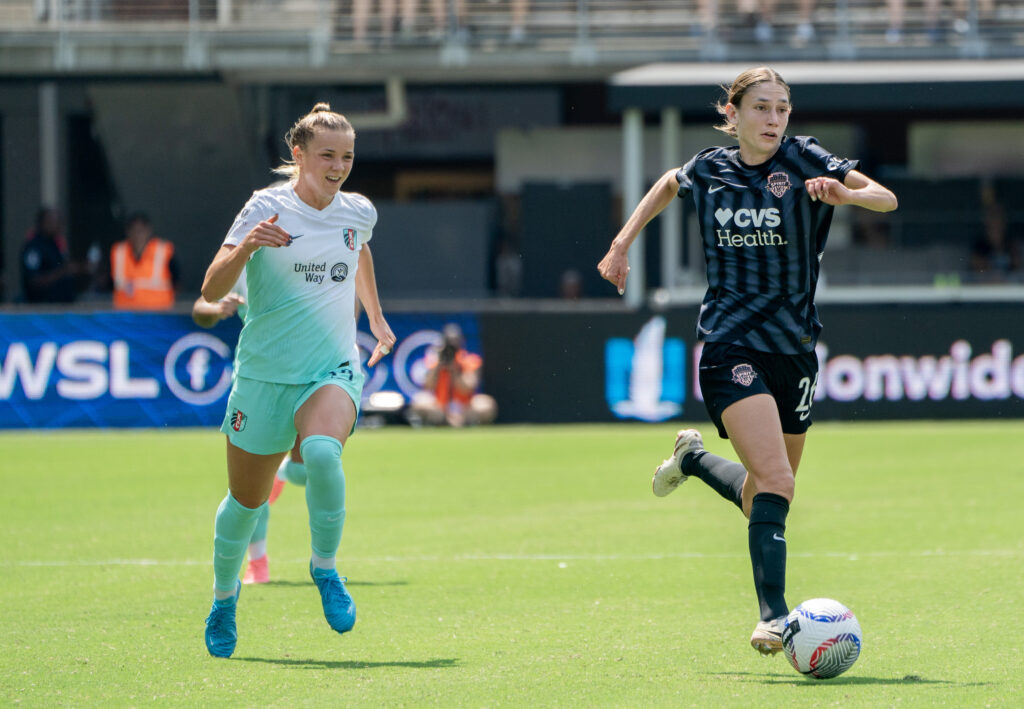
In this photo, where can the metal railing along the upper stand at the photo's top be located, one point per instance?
(845, 26)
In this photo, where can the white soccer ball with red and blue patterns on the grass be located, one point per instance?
(822, 639)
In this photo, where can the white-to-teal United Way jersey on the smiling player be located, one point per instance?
(302, 319)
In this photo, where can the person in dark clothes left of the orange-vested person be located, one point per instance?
(49, 274)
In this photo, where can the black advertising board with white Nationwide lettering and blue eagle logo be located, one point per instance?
(876, 362)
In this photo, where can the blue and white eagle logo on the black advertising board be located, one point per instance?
(645, 377)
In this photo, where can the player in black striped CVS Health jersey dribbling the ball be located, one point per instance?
(764, 207)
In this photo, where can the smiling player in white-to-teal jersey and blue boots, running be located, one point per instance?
(305, 249)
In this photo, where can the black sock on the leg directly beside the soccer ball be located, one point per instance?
(769, 553)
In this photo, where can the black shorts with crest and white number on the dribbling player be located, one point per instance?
(730, 373)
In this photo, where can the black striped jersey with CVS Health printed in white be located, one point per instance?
(763, 241)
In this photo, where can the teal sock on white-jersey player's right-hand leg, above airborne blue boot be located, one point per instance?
(325, 493)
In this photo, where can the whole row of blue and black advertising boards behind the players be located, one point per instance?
(962, 360)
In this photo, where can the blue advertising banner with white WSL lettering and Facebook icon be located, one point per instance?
(145, 370)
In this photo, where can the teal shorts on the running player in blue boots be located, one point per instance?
(261, 416)
